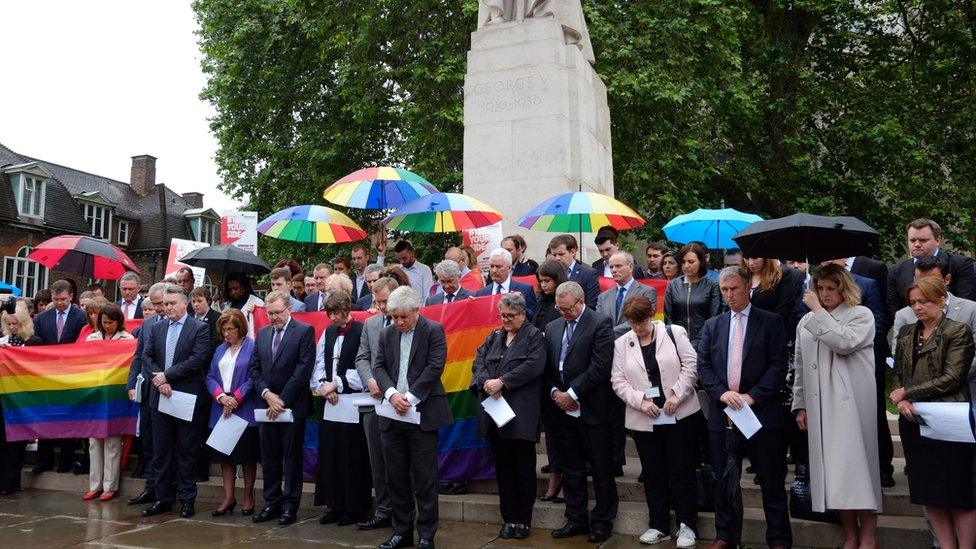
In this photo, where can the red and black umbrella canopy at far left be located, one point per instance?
(83, 256)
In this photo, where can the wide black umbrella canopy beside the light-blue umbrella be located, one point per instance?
(807, 237)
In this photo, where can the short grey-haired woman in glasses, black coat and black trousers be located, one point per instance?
(509, 365)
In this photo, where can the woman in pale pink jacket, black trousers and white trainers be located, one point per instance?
(654, 373)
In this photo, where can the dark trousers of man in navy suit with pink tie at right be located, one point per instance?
(767, 453)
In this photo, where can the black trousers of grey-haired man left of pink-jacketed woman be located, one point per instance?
(571, 437)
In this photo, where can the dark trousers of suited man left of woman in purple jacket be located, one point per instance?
(176, 452)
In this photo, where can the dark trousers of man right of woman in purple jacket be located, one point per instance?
(281, 462)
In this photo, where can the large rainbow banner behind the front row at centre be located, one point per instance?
(462, 454)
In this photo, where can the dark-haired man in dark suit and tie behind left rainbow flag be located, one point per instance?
(58, 325)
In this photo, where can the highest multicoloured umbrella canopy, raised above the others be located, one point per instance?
(378, 188)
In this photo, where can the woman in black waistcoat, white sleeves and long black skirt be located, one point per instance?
(343, 479)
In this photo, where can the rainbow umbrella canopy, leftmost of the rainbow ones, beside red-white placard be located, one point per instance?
(314, 224)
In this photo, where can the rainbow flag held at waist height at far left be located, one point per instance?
(67, 391)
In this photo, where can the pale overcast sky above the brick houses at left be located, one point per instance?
(90, 84)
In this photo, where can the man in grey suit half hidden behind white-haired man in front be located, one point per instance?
(368, 348)
